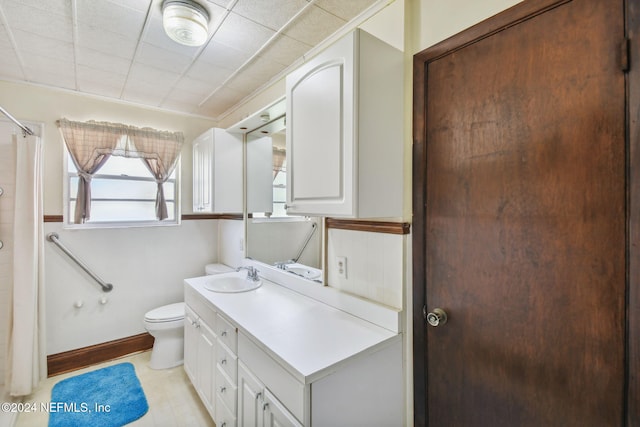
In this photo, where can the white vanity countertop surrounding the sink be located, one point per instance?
(308, 338)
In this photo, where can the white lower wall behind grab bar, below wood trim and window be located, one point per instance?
(145, 265)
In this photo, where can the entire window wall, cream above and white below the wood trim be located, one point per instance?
(145, 265)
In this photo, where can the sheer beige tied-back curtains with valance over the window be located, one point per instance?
(91, 143)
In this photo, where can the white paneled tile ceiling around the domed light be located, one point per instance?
(117, 48)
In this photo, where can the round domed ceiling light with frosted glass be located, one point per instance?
(185, 22)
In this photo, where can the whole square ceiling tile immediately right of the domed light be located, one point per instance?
(242, 34)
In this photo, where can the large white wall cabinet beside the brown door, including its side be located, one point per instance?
(345, 131)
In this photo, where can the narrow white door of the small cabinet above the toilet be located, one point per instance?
(203, 173)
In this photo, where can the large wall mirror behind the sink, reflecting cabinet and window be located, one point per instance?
(292, 243)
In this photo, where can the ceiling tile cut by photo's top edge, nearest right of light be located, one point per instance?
(271, 14)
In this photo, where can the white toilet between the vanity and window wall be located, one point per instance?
(166, 325)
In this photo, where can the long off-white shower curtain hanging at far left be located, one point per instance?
(26, 358)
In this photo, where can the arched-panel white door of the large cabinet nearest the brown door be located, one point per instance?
(320, 140)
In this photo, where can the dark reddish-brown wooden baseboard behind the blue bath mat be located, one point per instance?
(86, 356)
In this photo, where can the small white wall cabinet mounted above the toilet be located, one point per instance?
(217, 172)
